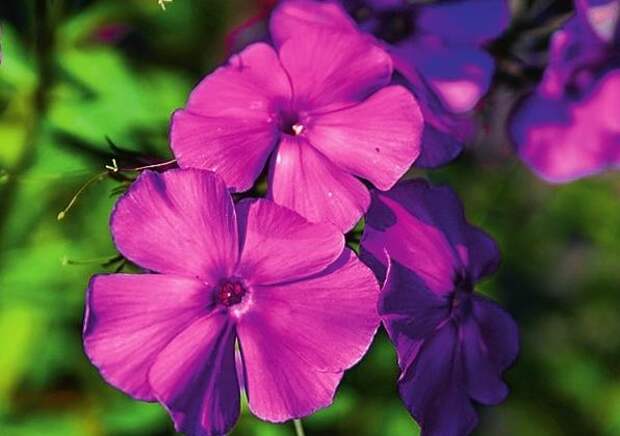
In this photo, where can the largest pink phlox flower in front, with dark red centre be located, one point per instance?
(298, 305)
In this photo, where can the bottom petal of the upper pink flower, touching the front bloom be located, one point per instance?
(304, 180)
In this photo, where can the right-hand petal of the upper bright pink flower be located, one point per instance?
(378, 139)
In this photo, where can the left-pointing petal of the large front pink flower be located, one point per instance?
(131, 318)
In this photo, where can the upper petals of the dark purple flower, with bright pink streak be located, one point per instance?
(439, 240)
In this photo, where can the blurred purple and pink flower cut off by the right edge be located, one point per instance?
(569, 127)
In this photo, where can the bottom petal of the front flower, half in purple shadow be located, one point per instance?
(196, 379)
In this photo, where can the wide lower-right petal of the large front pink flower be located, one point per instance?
(328, 320)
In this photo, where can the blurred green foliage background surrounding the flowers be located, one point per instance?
(74, 73)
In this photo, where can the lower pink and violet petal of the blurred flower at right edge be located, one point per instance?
(566, 139)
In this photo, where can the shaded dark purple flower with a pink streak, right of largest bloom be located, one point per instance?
(452, 344)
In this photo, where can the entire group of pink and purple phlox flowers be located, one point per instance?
(262, 296)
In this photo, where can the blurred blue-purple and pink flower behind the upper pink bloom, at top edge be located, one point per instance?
(436, 47)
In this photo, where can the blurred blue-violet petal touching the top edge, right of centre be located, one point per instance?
(462, 22)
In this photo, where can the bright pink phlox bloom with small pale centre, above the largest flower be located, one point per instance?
(320, 105)
